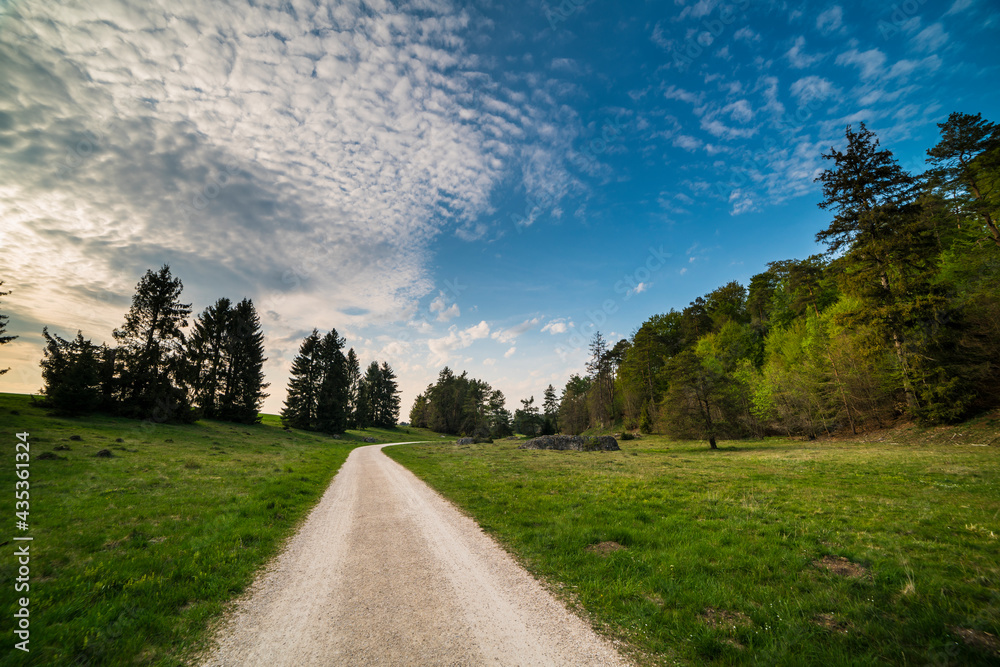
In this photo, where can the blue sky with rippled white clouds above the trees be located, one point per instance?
(472, 184)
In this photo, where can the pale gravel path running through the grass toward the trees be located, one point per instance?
(386, 572)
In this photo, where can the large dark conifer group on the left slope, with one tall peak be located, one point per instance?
(158, 371)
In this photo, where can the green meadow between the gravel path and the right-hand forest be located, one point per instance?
(719, 564)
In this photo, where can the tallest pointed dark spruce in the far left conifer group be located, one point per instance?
(150, 356)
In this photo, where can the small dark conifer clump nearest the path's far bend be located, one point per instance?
(327, 392)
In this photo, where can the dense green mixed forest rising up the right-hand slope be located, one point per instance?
(899, 318)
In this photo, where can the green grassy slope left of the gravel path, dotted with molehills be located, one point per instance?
(134, 556)
